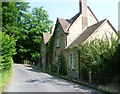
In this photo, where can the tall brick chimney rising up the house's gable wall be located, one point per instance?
(83, 11)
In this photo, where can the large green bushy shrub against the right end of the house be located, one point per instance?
(100, 57)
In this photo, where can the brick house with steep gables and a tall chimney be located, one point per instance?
(81, 28)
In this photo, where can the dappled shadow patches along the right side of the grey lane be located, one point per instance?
(48, 79)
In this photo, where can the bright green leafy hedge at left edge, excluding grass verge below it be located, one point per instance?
(8, 50)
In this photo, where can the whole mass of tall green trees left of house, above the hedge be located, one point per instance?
(24, 29)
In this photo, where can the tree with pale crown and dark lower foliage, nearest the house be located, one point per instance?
(34, 24)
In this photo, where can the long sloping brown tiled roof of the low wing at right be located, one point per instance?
(87, 33)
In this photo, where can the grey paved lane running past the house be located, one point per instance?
(27, 79)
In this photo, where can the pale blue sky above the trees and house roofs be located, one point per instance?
(68, 8)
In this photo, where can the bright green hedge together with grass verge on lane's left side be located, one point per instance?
(7, 50)
